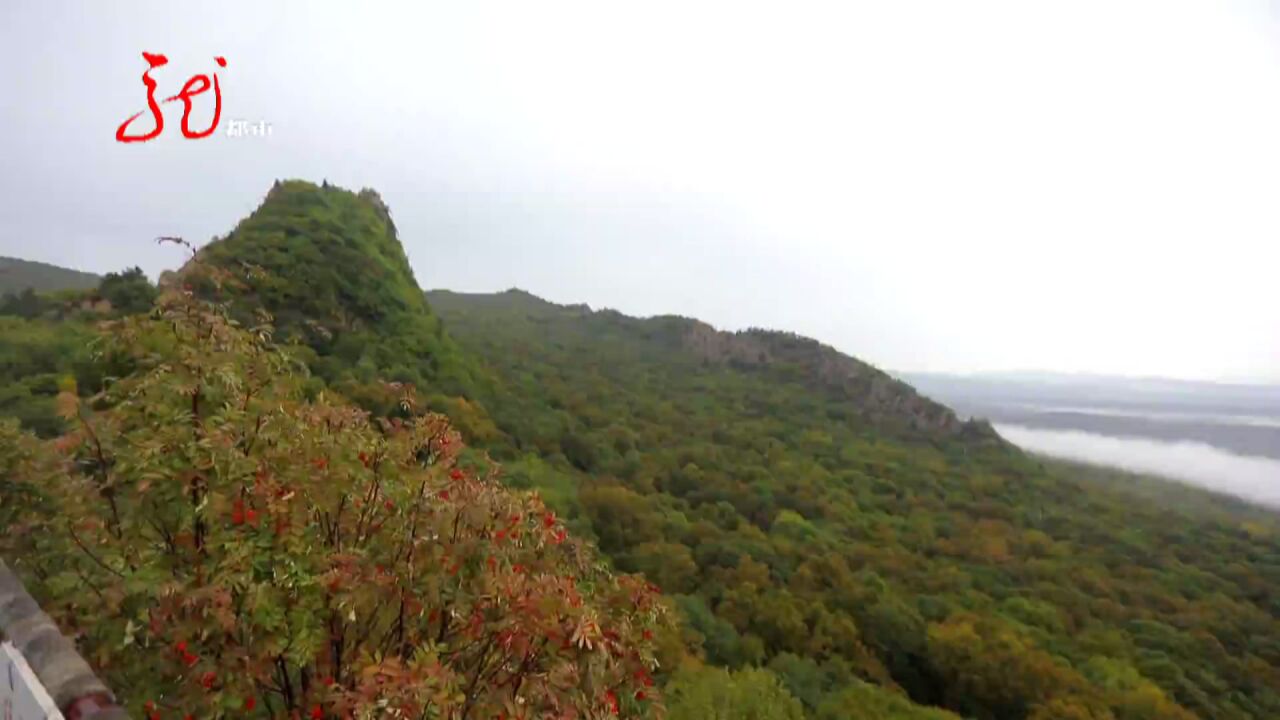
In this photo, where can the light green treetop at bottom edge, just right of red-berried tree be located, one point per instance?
(712, 694)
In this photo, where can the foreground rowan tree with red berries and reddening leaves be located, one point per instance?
(226, 548)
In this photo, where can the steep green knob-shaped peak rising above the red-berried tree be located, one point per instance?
(328, 267)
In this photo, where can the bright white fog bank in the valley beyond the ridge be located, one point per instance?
(1244, 476)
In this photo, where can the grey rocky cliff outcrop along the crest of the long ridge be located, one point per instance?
(880, 398)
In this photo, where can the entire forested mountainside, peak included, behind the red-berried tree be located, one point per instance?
(833, 544)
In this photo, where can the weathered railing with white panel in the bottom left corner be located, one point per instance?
(58, 676)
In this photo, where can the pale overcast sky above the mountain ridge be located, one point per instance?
(1082, 186)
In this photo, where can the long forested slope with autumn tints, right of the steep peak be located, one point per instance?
(871, 560)
